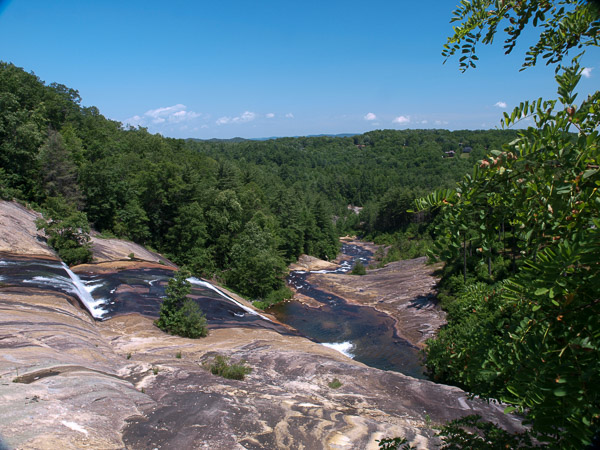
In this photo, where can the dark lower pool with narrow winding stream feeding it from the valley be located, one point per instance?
(360, 332)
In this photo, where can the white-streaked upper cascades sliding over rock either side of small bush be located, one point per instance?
(128, 291)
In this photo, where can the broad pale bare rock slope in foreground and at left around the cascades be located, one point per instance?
(69, 381)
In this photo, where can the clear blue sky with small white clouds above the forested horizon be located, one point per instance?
(269, 68)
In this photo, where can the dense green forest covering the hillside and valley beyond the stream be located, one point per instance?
(239, 210)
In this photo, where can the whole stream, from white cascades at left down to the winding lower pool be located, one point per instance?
(362, 333)
